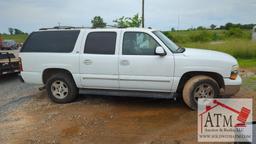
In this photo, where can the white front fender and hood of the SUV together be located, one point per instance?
(203, 61)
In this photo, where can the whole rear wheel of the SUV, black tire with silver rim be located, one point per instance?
(61, 88)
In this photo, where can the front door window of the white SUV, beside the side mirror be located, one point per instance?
(138, 43)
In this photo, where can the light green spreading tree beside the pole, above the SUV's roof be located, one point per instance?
(125, 22)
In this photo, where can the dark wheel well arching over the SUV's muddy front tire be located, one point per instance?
(219, 79)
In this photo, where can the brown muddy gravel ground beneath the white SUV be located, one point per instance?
(28, 116)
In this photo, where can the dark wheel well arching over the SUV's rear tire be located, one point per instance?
(51, 71)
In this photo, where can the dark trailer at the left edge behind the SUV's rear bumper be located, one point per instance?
(9, 63)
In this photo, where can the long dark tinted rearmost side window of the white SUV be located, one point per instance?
(51, 41)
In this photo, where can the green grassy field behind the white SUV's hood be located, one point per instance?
(235, 42)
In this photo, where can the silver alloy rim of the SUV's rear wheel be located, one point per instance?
(59, 89)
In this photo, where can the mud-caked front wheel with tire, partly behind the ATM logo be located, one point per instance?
(198, 87)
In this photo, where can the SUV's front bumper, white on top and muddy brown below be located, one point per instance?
(232, 87)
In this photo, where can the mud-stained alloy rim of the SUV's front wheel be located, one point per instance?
(203, 91)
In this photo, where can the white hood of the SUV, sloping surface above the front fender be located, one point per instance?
(210, 55)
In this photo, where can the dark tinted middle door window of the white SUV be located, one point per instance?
(100, 43)
